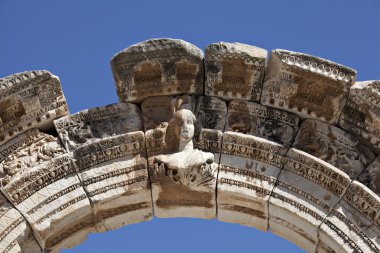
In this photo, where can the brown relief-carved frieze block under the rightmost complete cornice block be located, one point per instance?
(333, 145)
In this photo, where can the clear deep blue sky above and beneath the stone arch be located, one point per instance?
(76, 40)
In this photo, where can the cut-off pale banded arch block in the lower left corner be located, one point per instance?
(15, 233)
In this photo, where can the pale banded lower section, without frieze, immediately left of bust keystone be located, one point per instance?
(114, 174)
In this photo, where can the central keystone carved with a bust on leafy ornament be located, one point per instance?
(183, 178)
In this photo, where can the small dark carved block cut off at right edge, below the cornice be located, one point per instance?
(370, 177)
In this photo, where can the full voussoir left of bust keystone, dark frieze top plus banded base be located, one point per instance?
(108, 148)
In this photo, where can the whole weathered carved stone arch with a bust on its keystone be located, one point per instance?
(297, 158)
